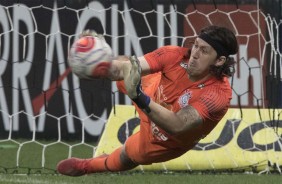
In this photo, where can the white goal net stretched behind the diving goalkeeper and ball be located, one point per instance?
(47, 114)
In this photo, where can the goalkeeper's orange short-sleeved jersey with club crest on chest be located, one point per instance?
(169, 86)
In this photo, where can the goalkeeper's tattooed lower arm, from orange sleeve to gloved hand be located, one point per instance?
(175, 123)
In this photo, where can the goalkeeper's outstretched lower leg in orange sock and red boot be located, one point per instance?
(116, 161)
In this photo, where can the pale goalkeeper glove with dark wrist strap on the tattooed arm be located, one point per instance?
(133, 85)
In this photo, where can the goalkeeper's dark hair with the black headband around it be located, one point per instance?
(227, 39)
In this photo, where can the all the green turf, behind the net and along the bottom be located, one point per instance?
(29, 168)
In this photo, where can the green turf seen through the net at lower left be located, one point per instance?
(33, 157)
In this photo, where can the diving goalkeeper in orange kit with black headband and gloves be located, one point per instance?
(182, 96)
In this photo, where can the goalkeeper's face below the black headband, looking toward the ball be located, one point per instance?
(202, 57)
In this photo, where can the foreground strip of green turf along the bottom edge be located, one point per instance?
(146, 178)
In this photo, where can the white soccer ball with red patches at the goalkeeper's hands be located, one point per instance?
(90, 57)
